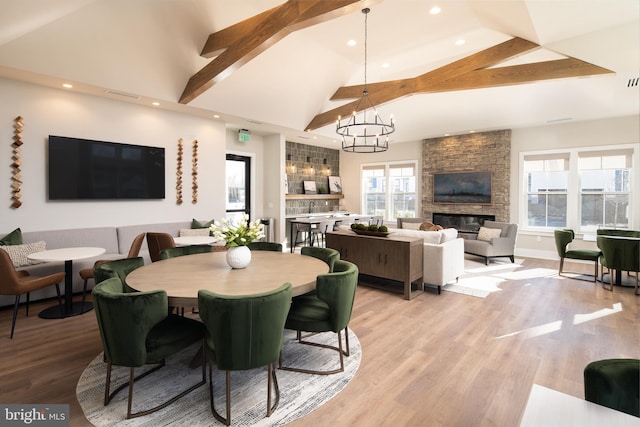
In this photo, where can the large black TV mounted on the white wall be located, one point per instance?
(82, 169)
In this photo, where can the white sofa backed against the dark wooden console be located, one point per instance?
(443, 254)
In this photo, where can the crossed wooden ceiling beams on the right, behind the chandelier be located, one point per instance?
(471, 72)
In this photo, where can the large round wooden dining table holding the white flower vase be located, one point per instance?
(182, 277)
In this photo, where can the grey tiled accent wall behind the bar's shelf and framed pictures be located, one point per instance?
(299, 170)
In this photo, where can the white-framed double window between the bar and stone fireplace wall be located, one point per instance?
(389, 190)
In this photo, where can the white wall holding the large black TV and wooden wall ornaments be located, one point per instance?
(59, 112)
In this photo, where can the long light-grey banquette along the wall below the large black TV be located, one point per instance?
(115, 240)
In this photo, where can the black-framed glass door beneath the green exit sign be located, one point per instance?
(238, 188)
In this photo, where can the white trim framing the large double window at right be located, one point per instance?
(573, 190)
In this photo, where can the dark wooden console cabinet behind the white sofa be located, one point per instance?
(395, 258)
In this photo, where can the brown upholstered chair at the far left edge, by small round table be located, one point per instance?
(19, 282)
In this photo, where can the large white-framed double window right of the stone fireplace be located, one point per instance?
(583, 189)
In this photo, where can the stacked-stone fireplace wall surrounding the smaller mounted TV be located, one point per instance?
(478, 152)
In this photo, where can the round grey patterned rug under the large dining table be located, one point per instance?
(300, 393)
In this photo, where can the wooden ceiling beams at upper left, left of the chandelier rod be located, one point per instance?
(240, 43)
